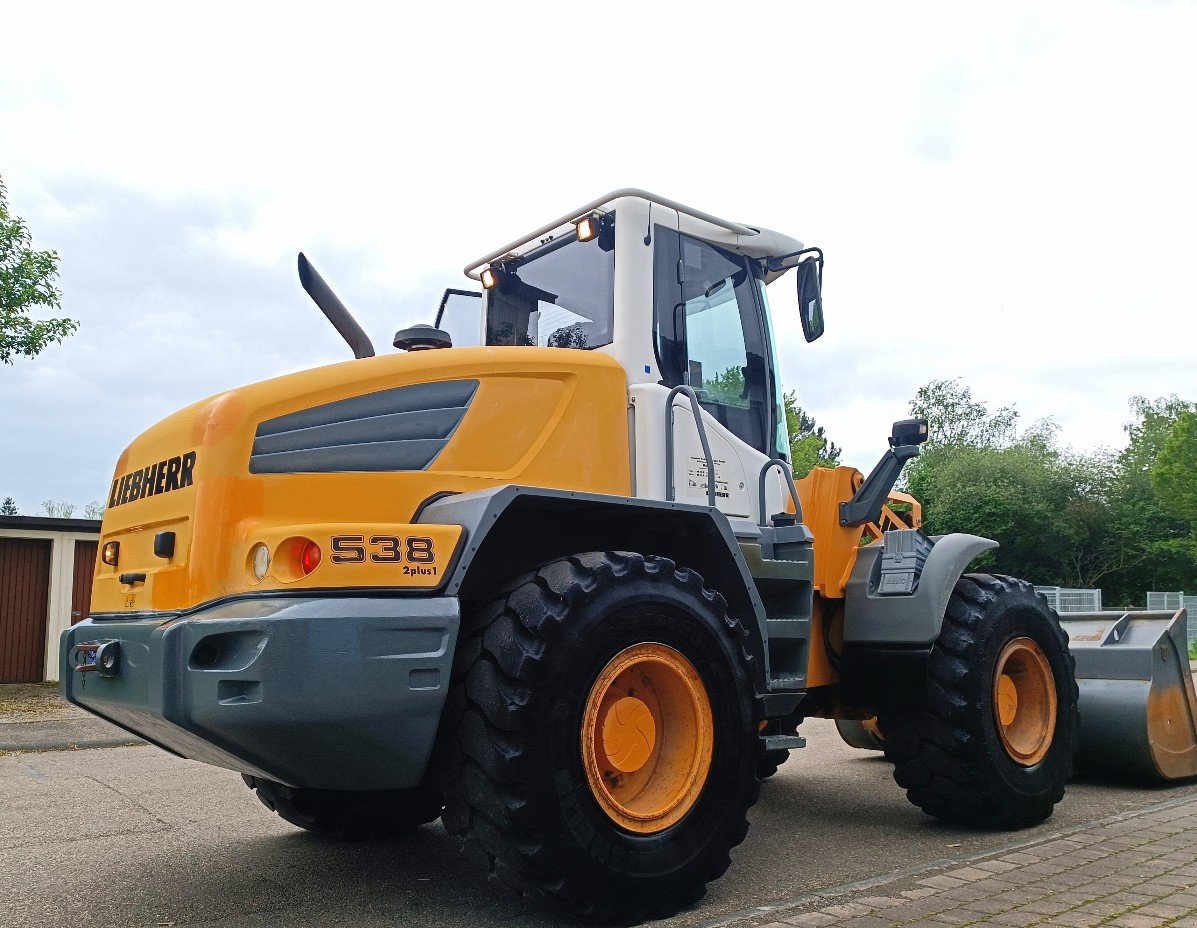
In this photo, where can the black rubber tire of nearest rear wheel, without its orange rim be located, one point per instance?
(519, 796)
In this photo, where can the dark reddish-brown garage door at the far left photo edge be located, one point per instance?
(25, 603)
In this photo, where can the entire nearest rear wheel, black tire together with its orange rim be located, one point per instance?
(569, 690)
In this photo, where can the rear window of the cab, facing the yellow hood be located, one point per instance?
(561, 296)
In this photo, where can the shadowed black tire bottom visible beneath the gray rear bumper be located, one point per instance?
(353, 815)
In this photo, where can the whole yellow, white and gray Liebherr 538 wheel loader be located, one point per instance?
(548, 577)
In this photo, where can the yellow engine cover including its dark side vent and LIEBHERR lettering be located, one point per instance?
(344, 457)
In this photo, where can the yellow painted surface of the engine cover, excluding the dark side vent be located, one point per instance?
(540, 417)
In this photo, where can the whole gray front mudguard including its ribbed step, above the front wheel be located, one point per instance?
(878, 615)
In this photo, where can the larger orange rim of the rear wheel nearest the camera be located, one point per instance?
(648, 735)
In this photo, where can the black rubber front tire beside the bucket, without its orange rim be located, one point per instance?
(949, 755)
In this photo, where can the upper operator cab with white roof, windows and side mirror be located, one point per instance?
(685, 304)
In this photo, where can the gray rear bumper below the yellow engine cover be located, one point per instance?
(332, 693)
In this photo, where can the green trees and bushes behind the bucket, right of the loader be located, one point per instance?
(1115, 521)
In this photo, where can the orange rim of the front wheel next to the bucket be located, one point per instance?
(1025, 701)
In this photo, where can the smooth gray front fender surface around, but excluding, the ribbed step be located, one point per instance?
(913, 620)
